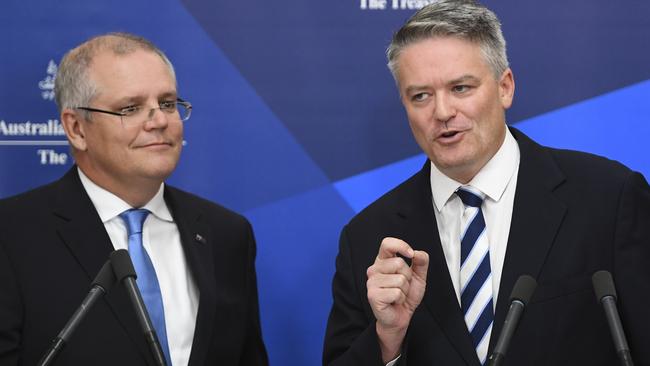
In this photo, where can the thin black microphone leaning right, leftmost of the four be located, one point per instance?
(100, 286)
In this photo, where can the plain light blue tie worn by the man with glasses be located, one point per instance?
(147, 279)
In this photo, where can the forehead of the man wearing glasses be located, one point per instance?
(138, 73)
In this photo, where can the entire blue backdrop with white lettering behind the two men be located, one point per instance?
(297, 123)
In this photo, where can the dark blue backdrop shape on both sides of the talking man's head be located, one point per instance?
(321, 69)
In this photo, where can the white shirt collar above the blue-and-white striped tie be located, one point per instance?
(492, 179)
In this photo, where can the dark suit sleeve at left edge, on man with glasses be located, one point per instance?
(11, 311)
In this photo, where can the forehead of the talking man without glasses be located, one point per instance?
(441, 57)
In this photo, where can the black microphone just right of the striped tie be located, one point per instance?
(521, 294)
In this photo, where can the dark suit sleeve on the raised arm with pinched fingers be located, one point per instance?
(351, 338)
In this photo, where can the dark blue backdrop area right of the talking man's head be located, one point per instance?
(565, 51)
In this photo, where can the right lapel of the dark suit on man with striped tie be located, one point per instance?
(536, 218)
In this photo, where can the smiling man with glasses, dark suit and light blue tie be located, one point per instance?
(195, 259)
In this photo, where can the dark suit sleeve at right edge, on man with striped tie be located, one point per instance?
(632, 265)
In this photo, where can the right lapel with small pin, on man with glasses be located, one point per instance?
(197, 245)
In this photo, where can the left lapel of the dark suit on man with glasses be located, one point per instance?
(83, 233)
